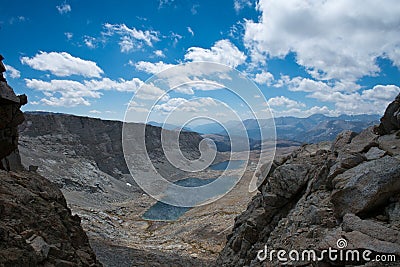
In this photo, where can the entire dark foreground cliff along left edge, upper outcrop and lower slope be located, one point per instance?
(36, 226)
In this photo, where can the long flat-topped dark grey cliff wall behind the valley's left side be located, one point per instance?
(89, 139)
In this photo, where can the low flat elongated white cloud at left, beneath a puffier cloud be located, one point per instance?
(69, 93)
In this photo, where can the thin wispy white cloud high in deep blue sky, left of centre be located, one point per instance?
(131, 38)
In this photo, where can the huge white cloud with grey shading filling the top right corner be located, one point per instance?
(332, 39)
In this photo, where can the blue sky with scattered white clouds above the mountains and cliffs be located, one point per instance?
(306, 57)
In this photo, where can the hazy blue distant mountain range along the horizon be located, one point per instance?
(313, 129)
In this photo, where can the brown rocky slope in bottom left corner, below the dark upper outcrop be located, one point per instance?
(36, 226)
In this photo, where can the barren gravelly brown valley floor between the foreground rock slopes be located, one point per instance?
(111, 210)
